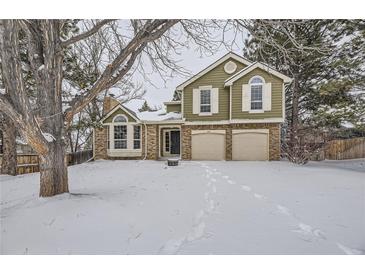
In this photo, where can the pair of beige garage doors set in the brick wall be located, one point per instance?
(247, 145)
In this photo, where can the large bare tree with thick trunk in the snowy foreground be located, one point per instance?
(45, 128)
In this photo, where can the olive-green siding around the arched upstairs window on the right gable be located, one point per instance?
(276, 96)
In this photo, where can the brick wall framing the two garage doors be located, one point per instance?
(274, 138)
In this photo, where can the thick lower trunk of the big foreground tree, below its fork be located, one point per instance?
(53, 171)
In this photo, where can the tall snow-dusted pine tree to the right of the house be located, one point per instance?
(323, 67)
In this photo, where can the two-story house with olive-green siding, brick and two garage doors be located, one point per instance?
(231, 110)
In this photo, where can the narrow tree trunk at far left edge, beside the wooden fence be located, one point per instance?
(9, 161)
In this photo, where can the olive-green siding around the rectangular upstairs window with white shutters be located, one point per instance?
(214, 78)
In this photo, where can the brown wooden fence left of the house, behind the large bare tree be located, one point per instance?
(29, 163)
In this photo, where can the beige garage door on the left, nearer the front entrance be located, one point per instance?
(208, 144)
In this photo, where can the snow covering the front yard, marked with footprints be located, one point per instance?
(145, 207)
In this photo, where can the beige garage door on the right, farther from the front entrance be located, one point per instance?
(250, 145)
